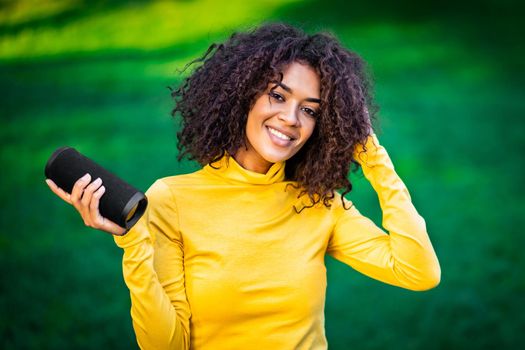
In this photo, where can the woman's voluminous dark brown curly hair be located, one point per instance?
(214, 101)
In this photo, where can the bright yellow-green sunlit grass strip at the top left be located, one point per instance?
(134, 25)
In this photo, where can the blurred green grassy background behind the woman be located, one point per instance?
(94, 75)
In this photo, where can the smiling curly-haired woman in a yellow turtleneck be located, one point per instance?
(232, 256)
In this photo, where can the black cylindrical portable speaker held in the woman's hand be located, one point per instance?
(121, 202)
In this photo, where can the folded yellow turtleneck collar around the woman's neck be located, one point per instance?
(228, 168)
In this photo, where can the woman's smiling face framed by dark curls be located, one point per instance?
(282, 119)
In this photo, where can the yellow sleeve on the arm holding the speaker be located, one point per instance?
(154, 273)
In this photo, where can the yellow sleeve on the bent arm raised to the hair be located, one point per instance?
(404, 257)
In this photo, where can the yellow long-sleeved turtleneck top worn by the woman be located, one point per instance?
(221, 260)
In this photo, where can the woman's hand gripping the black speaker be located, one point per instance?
(85, 197)
